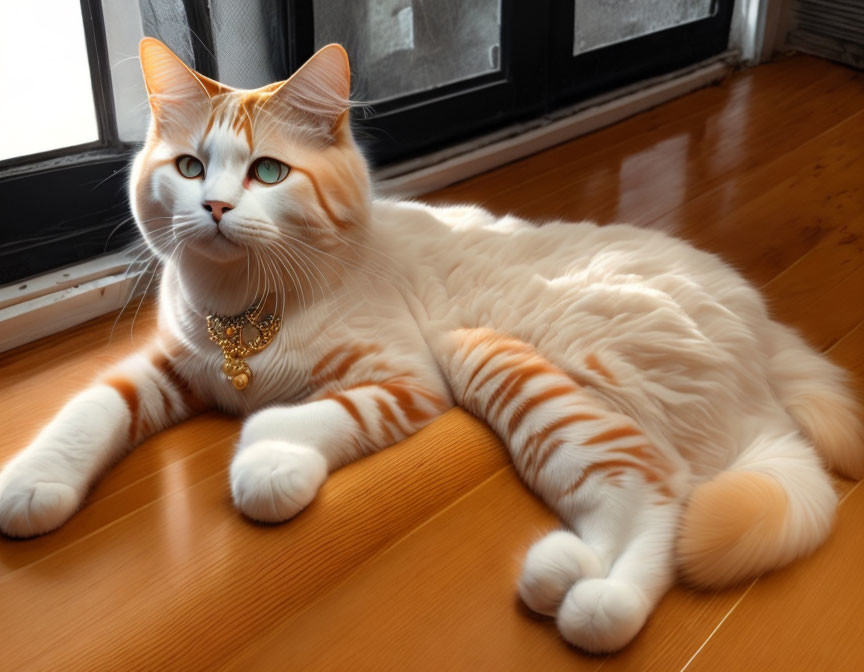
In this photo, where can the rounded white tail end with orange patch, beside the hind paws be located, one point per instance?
(776, 503)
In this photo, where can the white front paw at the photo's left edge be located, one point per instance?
(29, 506)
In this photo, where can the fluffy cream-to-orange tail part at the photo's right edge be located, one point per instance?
(816, 394)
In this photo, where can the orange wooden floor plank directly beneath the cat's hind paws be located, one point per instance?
(452, 580)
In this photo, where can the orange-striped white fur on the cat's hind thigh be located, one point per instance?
(514, 388)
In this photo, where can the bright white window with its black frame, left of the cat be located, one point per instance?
(62, 165)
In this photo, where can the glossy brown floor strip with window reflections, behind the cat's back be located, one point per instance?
(633, 171)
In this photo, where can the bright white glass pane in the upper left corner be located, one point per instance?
(44, 77)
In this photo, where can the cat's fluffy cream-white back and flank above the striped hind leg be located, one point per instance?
(676, 327)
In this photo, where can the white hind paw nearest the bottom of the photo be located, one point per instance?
(602, 615)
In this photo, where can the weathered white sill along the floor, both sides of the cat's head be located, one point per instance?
(34, 308)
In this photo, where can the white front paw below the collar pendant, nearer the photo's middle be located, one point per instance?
(272, 481)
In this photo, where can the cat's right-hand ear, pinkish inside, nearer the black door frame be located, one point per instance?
(318, 91)
